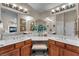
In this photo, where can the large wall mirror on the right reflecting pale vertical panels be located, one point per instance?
(66, 23)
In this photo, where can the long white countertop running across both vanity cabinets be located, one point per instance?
(68, 40)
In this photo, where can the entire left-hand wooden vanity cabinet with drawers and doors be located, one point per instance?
(19, 49)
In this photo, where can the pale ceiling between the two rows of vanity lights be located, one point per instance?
(40, 7)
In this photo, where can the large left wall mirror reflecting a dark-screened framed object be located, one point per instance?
(9, 20)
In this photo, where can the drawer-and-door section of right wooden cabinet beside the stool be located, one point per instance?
(53, 50)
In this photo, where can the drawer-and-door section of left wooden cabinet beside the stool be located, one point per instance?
(27, 49)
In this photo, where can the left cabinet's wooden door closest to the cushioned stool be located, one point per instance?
(26, 50)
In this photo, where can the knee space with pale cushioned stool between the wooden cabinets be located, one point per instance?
(39, 48)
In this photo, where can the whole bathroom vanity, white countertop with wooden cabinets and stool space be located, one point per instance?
(50, 45)
